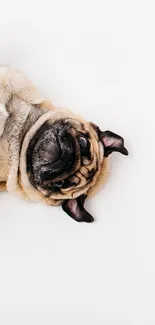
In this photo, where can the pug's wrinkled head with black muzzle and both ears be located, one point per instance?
(64, 160)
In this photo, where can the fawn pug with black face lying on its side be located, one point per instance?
(49, 154)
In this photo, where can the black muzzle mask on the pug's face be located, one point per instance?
(51, 152)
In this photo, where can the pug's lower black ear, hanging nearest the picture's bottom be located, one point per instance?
(75, 209)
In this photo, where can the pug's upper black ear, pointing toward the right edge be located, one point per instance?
(112, 142)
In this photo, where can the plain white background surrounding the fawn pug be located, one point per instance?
(98, 58)
